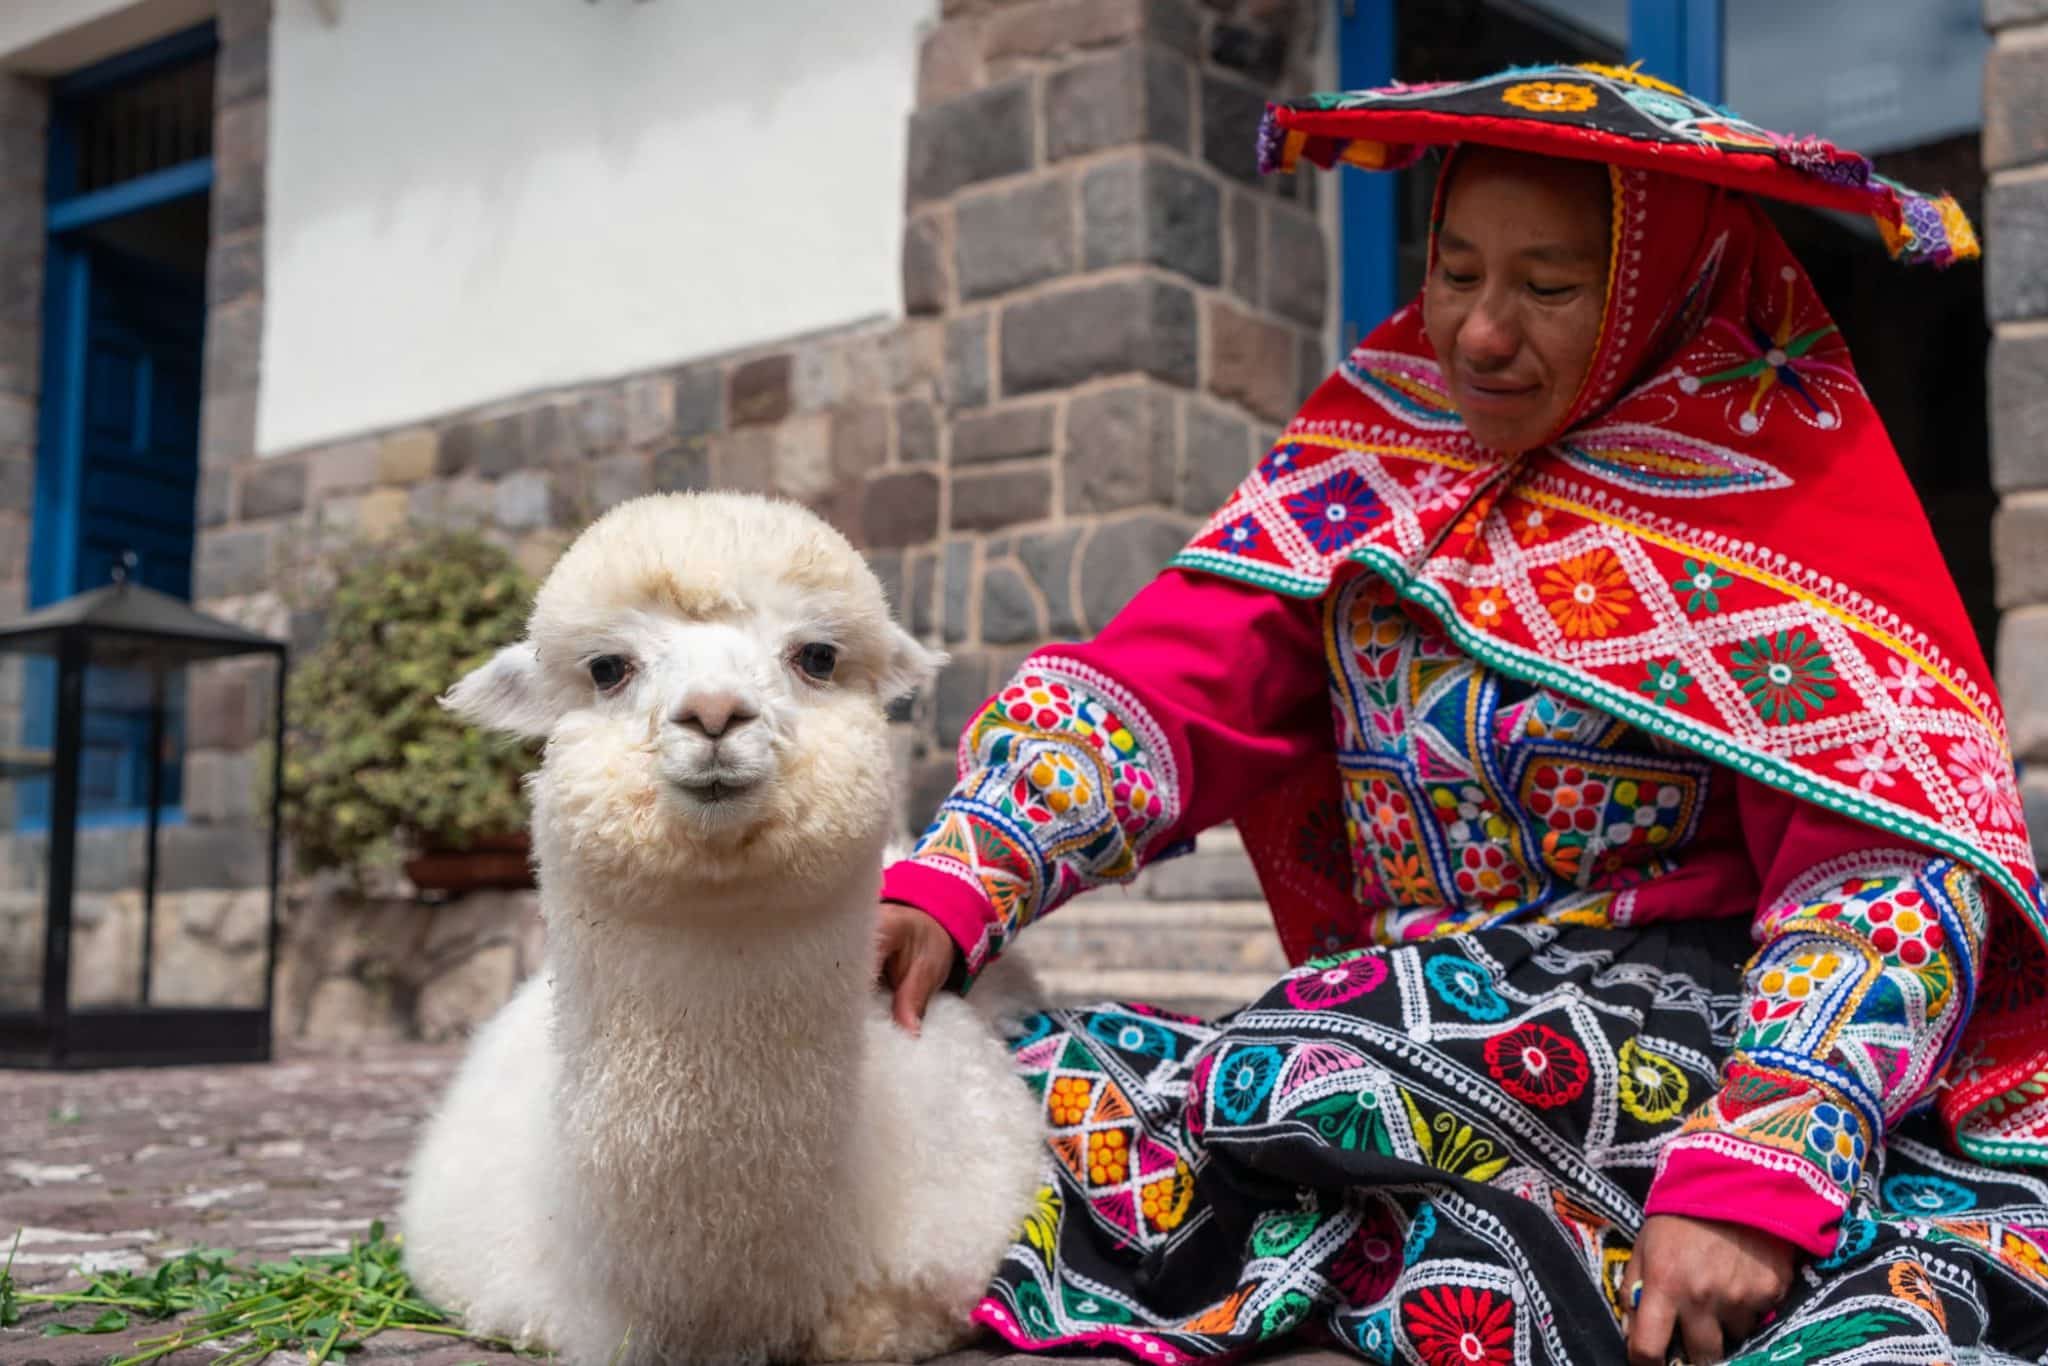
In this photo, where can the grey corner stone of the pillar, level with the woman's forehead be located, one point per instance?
(1152, 212)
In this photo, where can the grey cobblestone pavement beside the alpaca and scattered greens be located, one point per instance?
(124, 1168)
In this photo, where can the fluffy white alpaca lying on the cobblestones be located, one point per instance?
(695, 1134)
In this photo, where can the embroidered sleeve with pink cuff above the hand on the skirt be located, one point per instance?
(1824, 1066)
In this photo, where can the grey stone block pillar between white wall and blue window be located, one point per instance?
(1129, 310)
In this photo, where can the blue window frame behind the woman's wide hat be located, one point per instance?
(1676, 40)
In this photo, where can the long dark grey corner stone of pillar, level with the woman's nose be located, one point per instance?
(1123, 327)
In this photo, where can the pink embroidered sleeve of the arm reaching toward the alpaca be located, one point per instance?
(1105, 757)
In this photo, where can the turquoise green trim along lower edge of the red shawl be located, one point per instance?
(1635, 710)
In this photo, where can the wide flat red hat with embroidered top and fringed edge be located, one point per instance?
(1617, 116)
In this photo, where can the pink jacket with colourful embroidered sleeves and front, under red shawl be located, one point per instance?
(1469, 800)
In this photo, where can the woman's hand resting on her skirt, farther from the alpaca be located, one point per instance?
(1705, 1287)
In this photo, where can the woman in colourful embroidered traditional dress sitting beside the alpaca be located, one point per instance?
(1590, 693)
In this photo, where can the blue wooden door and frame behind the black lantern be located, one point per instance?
(124, 333)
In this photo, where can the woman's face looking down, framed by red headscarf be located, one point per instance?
(1512, 306)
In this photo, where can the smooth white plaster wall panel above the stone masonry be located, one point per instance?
(472, 200)
